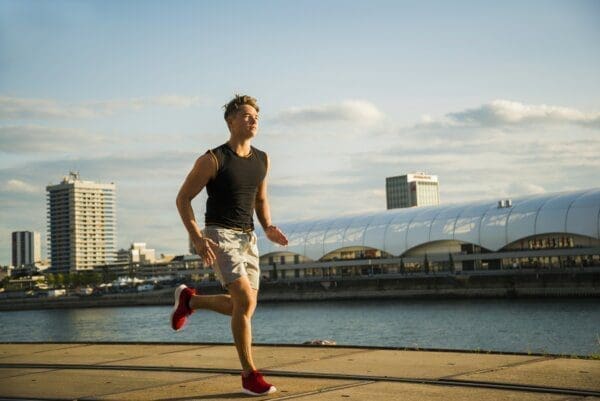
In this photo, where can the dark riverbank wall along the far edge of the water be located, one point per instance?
(479, 284)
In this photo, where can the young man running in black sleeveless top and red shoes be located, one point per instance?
(234, 175)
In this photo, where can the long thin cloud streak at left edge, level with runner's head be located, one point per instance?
(14, 108)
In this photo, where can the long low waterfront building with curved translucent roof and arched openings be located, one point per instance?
(558, 229)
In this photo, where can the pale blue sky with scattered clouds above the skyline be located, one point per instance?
(496, 98)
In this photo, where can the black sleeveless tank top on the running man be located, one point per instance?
(232, 193)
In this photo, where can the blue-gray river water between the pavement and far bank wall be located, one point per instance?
(557, 326)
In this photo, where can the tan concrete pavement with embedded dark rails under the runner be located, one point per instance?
(91, 371)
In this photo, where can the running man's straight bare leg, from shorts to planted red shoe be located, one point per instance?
(243, 301)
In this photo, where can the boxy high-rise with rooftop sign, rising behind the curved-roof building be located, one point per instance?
(416, 189)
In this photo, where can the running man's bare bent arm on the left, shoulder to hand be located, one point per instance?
(204, 169)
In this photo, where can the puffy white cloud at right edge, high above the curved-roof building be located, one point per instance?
(511, 113)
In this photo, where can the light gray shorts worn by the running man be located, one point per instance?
(237, 255)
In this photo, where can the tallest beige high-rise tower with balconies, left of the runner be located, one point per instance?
(82, 223)
